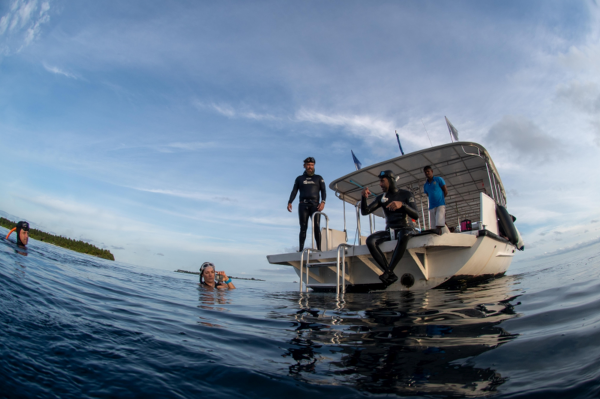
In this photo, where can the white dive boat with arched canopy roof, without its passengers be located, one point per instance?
(477, 243)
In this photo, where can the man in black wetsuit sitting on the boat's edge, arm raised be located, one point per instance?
(399, 209)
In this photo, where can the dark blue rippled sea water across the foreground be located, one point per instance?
(73, 326)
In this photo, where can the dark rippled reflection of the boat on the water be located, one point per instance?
(401, 342)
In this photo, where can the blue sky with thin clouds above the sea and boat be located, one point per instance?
(171, 133)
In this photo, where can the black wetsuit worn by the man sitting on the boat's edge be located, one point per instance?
(399, 220)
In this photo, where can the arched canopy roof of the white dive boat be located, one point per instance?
(466, 167)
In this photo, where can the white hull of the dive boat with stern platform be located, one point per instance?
(430, 261)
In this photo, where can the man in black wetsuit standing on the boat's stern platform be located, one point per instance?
(310, 185)
